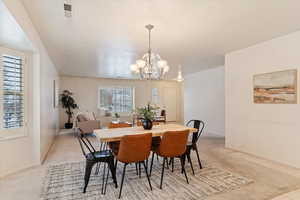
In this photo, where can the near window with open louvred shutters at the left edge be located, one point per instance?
(12, 98)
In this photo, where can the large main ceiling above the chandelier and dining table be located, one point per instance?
(104, 37)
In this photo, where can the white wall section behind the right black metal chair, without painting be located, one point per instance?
(204, 99)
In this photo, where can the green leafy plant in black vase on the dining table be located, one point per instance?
(147, 114)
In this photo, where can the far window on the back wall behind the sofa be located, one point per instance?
(116, 99)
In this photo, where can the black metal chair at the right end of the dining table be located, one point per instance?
(192, 145)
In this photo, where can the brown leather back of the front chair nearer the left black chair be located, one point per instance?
(135, 148)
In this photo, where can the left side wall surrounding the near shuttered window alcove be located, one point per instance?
(28, 151)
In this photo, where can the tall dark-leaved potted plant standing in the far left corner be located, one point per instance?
(69, 104)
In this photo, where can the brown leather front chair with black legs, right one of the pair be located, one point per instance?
(172, 145)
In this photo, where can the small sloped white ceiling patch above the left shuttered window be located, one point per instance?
(11, 34)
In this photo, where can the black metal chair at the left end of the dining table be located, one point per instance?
(93, 157)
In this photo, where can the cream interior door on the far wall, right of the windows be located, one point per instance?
(170, 103)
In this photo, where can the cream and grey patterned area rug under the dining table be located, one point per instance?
(65, 182)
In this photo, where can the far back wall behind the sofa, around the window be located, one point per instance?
(86, 93)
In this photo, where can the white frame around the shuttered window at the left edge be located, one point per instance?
(12, 133)
